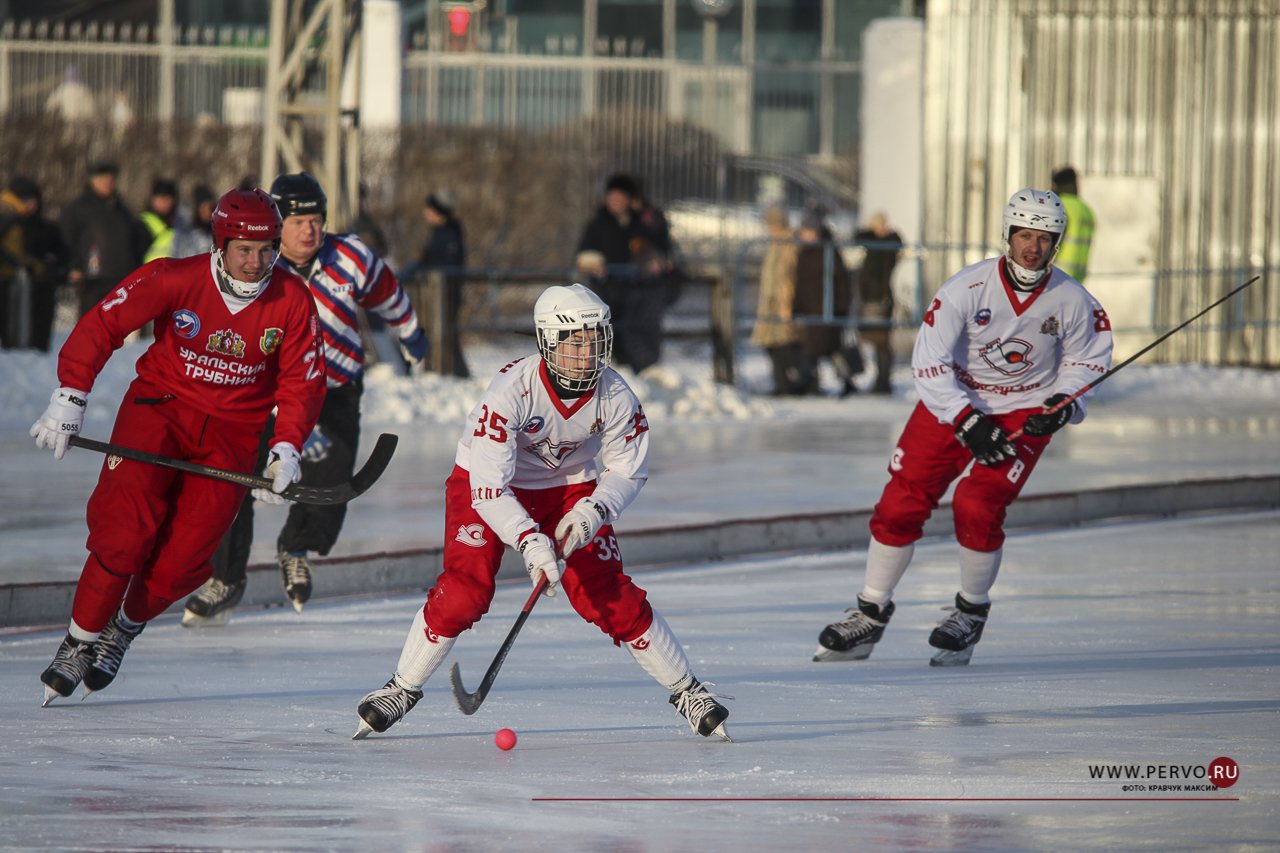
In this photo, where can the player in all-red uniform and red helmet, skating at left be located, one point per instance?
(235, 336)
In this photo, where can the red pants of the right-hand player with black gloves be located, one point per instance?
(927, 459)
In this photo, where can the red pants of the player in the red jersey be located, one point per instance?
(156, 526)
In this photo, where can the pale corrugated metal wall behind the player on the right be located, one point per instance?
(1169, 111)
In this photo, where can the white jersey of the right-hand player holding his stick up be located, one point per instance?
(988, 345)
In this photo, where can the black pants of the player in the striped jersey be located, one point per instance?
(309, 527)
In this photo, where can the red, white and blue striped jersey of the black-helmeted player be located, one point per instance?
(349, 275)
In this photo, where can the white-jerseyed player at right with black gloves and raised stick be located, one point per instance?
(1003, 343)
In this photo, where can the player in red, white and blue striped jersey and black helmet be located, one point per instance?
(345, 276)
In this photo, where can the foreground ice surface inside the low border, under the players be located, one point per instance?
(1151, 646)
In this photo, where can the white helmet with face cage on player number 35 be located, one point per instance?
(560, 313)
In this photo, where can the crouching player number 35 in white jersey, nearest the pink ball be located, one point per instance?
(527, 472)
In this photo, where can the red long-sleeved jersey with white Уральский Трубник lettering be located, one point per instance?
(228, 358)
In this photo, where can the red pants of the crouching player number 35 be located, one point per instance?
(593, 577)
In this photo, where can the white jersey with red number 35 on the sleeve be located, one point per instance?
(523, 435)
